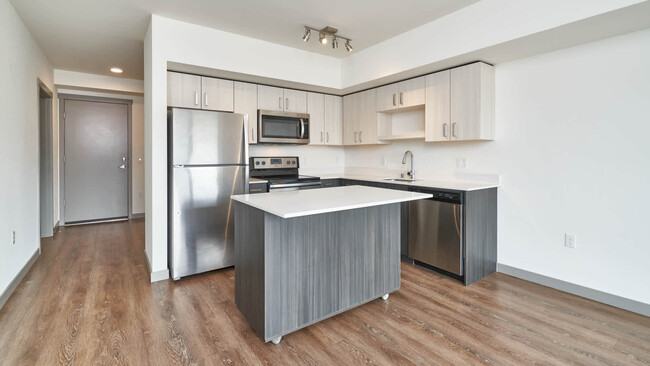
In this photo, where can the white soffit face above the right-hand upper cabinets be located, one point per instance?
(474, 28)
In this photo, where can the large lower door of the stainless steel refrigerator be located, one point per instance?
(202, 218)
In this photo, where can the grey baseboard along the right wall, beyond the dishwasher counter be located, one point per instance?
(586, 292)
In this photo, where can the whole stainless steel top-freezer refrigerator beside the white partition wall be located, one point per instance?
(208, 162)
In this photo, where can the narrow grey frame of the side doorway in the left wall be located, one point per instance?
(47, 129)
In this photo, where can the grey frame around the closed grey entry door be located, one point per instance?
(85, 98)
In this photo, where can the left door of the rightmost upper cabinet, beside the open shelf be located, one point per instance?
(437, 109)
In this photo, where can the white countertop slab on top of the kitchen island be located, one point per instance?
(288, 204)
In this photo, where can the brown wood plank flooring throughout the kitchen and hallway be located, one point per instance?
(88, 300)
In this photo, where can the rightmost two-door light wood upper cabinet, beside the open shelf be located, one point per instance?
(460, 104)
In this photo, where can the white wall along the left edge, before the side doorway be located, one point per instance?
(21, 62)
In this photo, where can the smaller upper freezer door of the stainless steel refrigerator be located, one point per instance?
(207, 138)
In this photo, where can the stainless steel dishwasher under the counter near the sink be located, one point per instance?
(435, 230)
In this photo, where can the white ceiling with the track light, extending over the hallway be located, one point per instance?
(92, 36)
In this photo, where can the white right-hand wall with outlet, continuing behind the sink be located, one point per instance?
(572, 151)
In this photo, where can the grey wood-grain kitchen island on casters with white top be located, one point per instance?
(303, 256)
